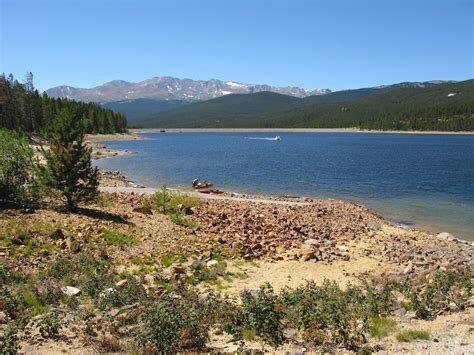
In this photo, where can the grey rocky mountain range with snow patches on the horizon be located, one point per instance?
(171, 88)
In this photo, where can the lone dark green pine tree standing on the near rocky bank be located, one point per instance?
(68, 167)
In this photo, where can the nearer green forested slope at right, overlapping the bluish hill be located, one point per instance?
(443, 107)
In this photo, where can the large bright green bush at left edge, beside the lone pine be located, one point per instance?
(16, 169)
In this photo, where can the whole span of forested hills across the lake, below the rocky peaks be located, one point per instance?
(406, 106)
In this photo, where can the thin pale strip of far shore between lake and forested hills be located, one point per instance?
(136, 131)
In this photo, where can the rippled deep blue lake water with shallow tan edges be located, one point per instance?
(424, 180)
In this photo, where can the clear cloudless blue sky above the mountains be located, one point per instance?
(313, 44)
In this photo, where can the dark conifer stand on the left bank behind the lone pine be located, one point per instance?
(23, 108)
